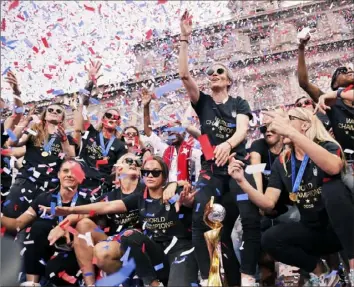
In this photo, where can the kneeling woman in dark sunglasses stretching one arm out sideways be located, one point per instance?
(163, 251)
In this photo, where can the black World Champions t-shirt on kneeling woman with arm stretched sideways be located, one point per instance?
(158, 221)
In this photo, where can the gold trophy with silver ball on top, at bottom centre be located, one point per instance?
(214, 214)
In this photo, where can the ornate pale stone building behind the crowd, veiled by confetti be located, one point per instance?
(258, 43)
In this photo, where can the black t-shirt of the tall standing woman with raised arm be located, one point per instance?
(218, 121)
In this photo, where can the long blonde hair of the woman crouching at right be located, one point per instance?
(316, 132)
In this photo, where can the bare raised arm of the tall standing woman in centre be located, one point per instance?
(188, 82)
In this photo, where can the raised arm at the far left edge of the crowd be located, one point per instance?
(12, 121)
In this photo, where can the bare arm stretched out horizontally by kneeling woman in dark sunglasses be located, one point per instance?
(116, 206)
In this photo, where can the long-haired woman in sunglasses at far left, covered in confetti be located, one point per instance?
(46, 146)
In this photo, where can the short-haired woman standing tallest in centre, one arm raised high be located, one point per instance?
(224, 120)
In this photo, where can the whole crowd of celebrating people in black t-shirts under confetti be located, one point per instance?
(127, 208)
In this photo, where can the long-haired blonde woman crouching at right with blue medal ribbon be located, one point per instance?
(309, 173)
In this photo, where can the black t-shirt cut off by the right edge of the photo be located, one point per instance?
(342, 120)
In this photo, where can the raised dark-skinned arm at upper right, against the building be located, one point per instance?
(312, 90)
